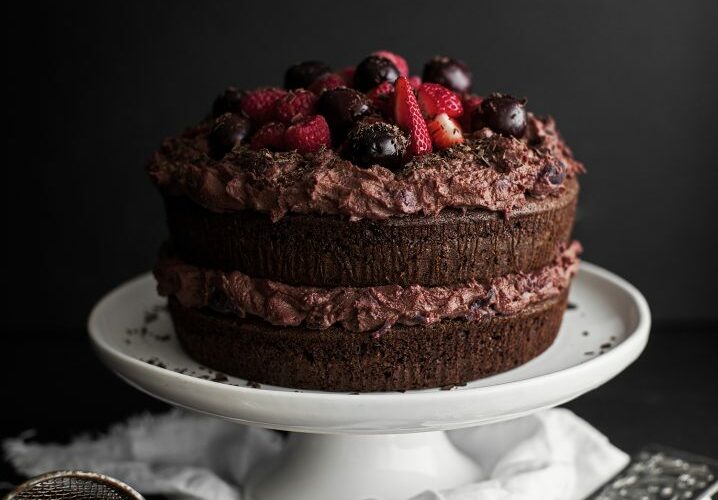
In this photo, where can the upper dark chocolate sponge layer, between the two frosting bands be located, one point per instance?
(329, 251)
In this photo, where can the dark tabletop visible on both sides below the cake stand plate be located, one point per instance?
(53, 383)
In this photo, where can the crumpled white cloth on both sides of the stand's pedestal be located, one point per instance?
(552, 455)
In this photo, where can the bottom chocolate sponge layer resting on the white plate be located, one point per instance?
(446, 353)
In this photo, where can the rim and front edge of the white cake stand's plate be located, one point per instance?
(288, 410)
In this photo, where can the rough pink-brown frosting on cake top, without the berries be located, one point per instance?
(487, 171)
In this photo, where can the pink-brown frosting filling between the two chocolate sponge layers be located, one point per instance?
(368, 309)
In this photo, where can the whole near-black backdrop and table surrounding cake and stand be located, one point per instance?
(92, 89)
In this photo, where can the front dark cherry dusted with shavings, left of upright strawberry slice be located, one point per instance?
(376, 144)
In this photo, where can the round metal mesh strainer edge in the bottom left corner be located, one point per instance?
(73, 485)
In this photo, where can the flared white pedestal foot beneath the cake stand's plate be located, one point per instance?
(358, 467)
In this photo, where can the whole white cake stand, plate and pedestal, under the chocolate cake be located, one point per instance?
(389, 445)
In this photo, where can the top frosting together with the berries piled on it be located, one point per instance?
(366, 145)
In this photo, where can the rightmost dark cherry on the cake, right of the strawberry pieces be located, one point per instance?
(502, 113)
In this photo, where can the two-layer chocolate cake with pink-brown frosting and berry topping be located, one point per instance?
(364, 230)
